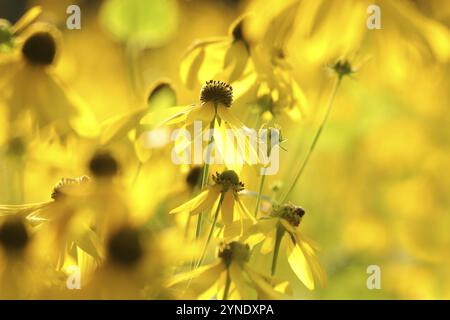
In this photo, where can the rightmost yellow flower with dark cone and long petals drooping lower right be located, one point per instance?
(280, 230)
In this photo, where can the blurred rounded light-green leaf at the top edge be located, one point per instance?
(142, 22)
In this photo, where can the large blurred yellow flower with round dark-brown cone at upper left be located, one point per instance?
(30, 88)
